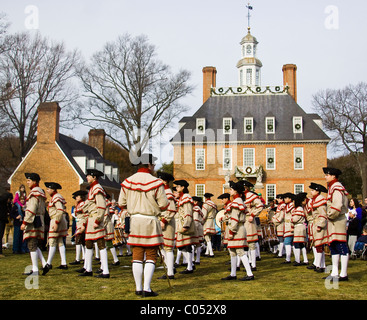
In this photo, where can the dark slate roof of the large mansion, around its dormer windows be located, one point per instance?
(282, 106)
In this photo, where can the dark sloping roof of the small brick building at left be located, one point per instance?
(72, 148)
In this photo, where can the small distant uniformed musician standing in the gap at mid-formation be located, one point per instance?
(209, 210)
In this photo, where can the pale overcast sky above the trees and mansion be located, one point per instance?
(325, 39)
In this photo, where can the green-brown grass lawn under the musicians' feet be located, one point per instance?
(273, 281)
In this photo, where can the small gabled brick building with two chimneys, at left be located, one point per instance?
(59, 158)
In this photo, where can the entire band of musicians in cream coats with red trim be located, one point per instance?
(152, 220)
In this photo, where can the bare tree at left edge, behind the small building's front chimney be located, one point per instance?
(33, 70)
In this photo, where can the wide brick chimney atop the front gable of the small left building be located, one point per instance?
(48, 122)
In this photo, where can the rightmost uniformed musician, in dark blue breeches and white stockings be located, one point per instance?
(337, 207)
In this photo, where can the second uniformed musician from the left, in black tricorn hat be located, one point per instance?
(58, 226)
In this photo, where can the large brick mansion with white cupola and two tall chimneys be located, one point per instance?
(250, 132)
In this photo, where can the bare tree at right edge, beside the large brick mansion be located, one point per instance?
(344, 115)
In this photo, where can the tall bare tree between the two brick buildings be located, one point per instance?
(130, 93)
